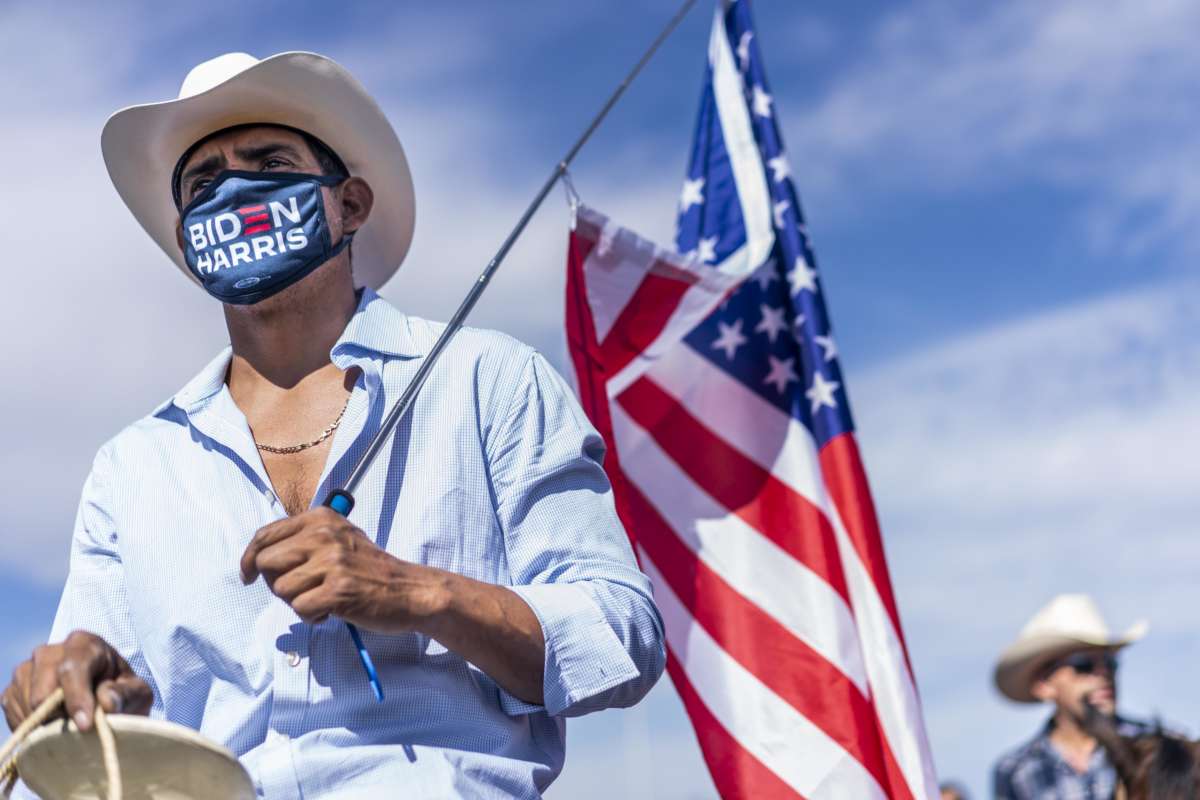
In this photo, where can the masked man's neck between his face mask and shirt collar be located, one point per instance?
(285, 342)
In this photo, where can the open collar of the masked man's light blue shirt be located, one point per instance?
(376, 328)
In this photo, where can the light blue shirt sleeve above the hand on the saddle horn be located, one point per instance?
(94, 598)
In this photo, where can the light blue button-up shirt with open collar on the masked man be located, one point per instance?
(495, 474)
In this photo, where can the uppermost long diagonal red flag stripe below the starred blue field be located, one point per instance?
(759, 498)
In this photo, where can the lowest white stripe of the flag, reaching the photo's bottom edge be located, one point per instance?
(784, 741)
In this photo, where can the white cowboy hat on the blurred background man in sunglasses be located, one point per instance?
(1066, 624)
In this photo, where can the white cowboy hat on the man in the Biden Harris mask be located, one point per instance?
(303, 91)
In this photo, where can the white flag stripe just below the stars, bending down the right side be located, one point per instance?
(755, 429)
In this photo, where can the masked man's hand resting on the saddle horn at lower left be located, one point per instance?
(88, 670)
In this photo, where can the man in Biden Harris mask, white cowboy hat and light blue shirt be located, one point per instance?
(483, 562)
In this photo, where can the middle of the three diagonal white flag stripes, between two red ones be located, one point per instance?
(754, 566)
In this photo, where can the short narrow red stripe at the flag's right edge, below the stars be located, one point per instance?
(847, 483)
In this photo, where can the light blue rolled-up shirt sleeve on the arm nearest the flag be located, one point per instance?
(568, 554)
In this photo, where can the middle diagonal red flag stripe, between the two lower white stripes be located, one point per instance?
(797, 673)
